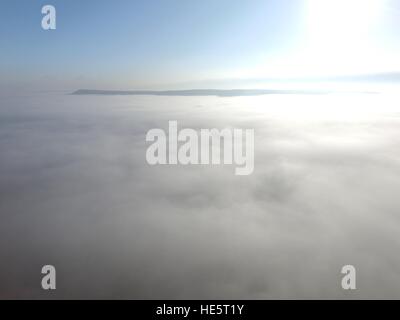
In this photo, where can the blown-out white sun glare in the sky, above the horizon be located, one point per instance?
(339, 39)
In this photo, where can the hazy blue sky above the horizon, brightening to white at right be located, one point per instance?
(128, 44)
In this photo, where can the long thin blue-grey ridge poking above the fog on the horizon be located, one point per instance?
(197, 92)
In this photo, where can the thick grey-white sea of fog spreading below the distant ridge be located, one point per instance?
(76, 192)
